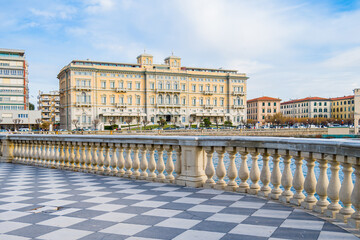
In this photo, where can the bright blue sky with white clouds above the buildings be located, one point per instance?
(288, 48)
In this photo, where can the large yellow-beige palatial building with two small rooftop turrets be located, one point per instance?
(146, 91)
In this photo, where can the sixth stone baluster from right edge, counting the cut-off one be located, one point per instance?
(298, 180)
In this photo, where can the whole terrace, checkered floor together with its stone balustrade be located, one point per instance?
(164, 187)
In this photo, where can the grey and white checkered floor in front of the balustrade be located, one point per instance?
(40, 203)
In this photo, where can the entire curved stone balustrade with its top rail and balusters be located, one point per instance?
(194, 164)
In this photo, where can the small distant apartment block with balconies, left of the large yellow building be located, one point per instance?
(49, 105)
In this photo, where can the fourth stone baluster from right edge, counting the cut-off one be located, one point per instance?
(322, 185)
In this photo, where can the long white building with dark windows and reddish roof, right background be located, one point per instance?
(311, 107)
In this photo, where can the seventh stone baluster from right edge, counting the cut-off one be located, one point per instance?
(286, 179)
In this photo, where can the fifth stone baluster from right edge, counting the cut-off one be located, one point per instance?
(310, 183)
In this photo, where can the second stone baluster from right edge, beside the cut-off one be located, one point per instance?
(345, 191)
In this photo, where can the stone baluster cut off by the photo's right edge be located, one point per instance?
(354, 221)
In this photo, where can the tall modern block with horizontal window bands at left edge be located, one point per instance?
(13, 80)
